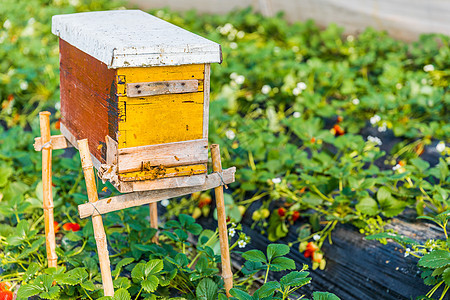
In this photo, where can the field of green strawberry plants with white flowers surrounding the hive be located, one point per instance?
(323, 129)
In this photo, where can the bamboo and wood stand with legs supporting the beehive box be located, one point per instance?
(96, 207)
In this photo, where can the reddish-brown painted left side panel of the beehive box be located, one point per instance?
(88, 98)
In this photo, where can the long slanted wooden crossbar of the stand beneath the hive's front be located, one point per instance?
(111, 204)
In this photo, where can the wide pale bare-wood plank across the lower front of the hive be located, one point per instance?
(168, 155)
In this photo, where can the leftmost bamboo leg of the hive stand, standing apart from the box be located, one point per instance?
(44, 118)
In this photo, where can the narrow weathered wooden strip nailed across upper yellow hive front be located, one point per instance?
(141, 89)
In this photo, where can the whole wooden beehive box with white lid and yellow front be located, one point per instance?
(137, 88)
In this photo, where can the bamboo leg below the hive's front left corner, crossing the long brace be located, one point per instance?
(97, 221)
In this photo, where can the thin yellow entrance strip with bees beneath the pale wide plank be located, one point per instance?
(159, 172)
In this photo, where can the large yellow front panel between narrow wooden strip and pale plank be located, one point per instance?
(160, 119)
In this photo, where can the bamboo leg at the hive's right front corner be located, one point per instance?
(227, 275)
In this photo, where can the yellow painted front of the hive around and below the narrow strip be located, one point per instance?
(163, 118)
